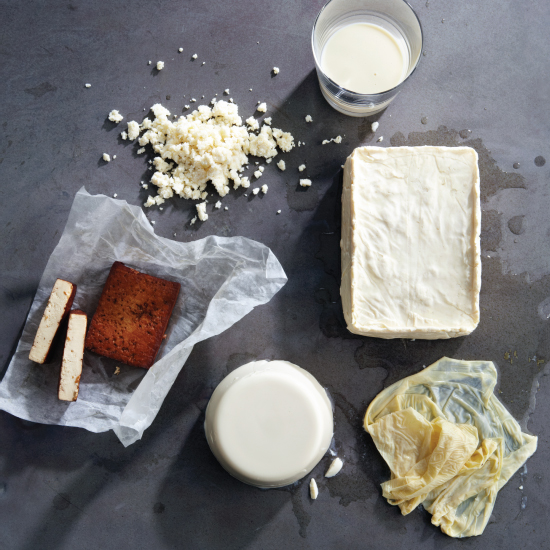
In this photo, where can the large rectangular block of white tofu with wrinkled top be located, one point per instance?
(411, 264)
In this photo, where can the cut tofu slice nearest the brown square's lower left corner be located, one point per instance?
(73, 353)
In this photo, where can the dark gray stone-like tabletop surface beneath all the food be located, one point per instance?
(484, 80)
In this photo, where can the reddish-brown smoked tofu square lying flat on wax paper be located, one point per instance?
(132, 316)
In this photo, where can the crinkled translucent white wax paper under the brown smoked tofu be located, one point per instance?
(222, 279)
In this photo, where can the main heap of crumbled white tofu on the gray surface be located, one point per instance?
(210, 144)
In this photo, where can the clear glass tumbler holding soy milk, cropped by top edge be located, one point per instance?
(364, 52)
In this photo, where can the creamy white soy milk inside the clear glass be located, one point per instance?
(365, 58)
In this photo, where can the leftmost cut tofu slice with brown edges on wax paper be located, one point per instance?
(59, 305)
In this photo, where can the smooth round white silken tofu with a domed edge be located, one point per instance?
(269, 423)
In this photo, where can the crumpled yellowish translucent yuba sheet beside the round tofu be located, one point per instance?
(449, 442)
